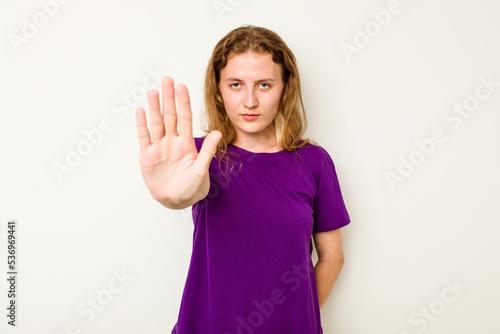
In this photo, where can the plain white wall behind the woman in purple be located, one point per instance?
(404, 243)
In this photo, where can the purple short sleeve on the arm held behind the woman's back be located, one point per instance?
(329, 212)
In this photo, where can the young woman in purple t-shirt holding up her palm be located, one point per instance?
(259, 192)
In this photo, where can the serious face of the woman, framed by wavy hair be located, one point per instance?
(251, 84)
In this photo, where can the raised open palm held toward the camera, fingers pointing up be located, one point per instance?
(173, 170)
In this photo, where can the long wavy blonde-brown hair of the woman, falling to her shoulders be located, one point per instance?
(290, 122)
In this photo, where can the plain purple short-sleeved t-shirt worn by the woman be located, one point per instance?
(251, 269)
